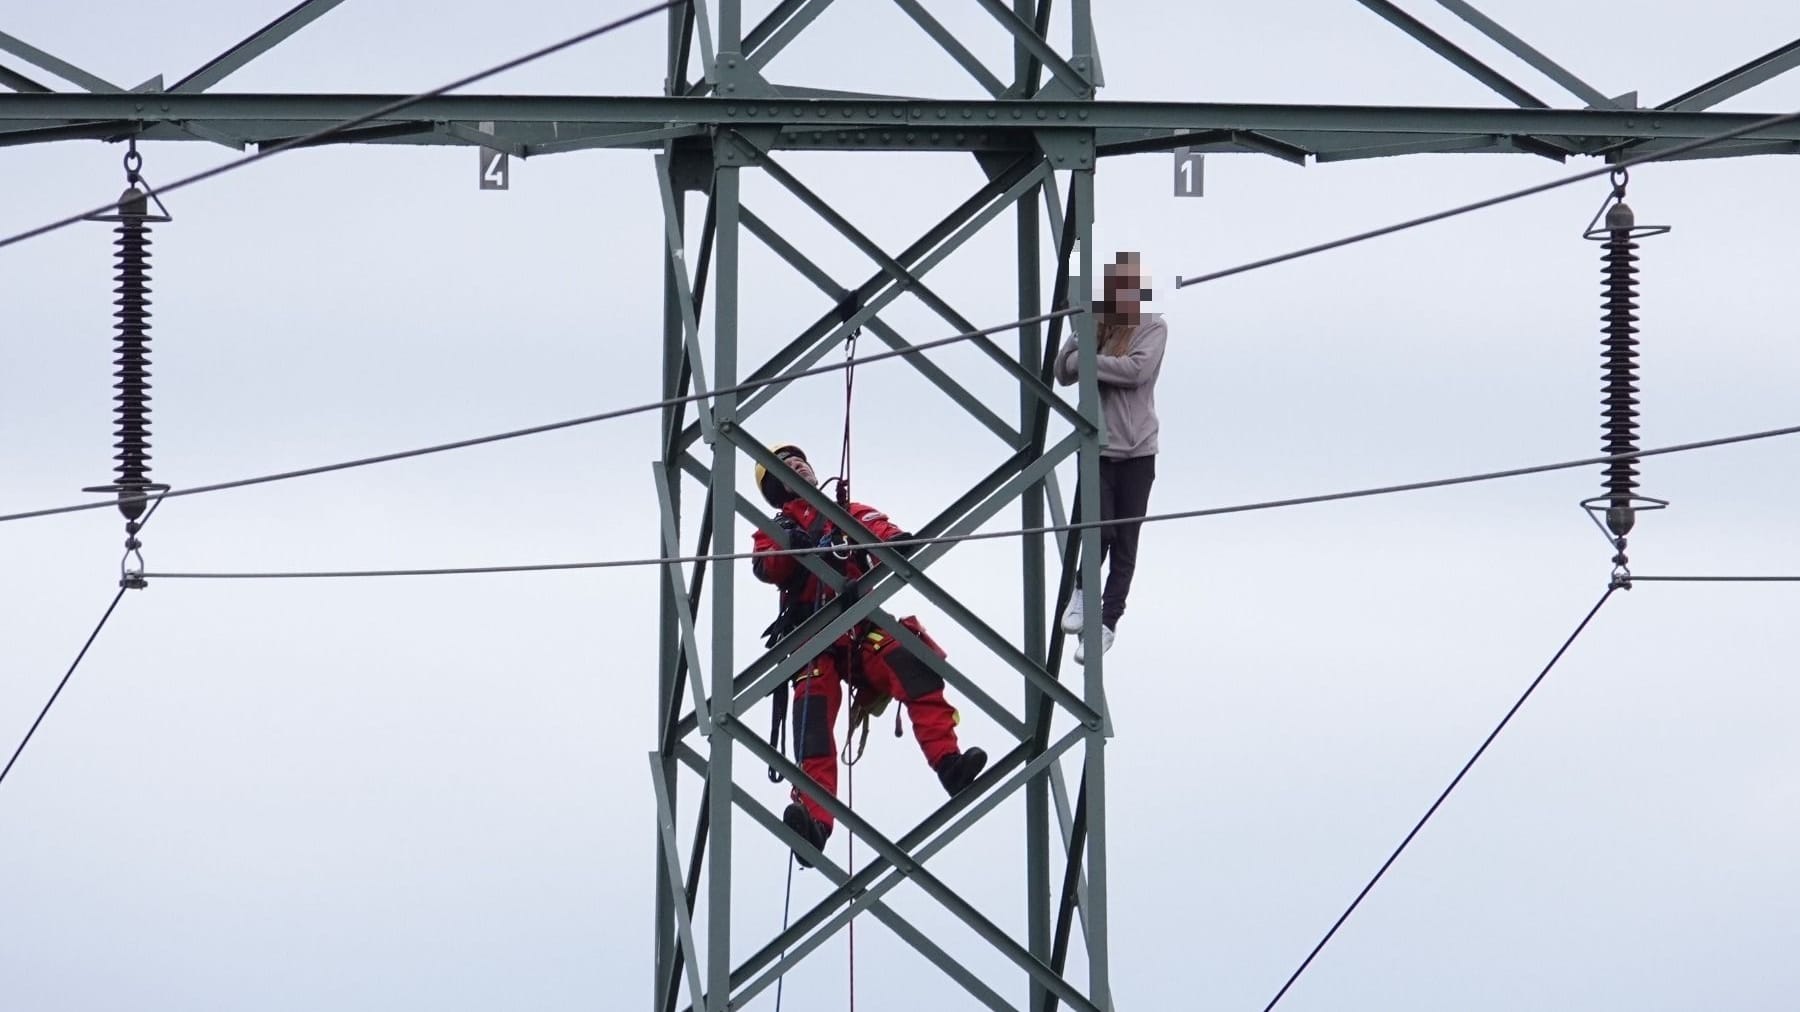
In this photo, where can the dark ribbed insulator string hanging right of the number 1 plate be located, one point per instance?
(1621, 503)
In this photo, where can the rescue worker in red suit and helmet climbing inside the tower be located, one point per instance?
(876, 665)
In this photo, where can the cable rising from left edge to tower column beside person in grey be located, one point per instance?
(544, 428)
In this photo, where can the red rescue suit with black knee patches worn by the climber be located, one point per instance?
(876, 660)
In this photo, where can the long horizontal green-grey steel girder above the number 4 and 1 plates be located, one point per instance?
(552, 123)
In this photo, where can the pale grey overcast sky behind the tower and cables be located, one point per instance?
(435, 793)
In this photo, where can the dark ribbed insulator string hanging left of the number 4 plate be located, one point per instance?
(132, 357)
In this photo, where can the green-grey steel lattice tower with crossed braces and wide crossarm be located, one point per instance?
(721, 118)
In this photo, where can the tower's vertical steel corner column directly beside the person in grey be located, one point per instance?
(1083, 188)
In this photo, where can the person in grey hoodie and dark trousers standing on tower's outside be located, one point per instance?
(1129, 361)
